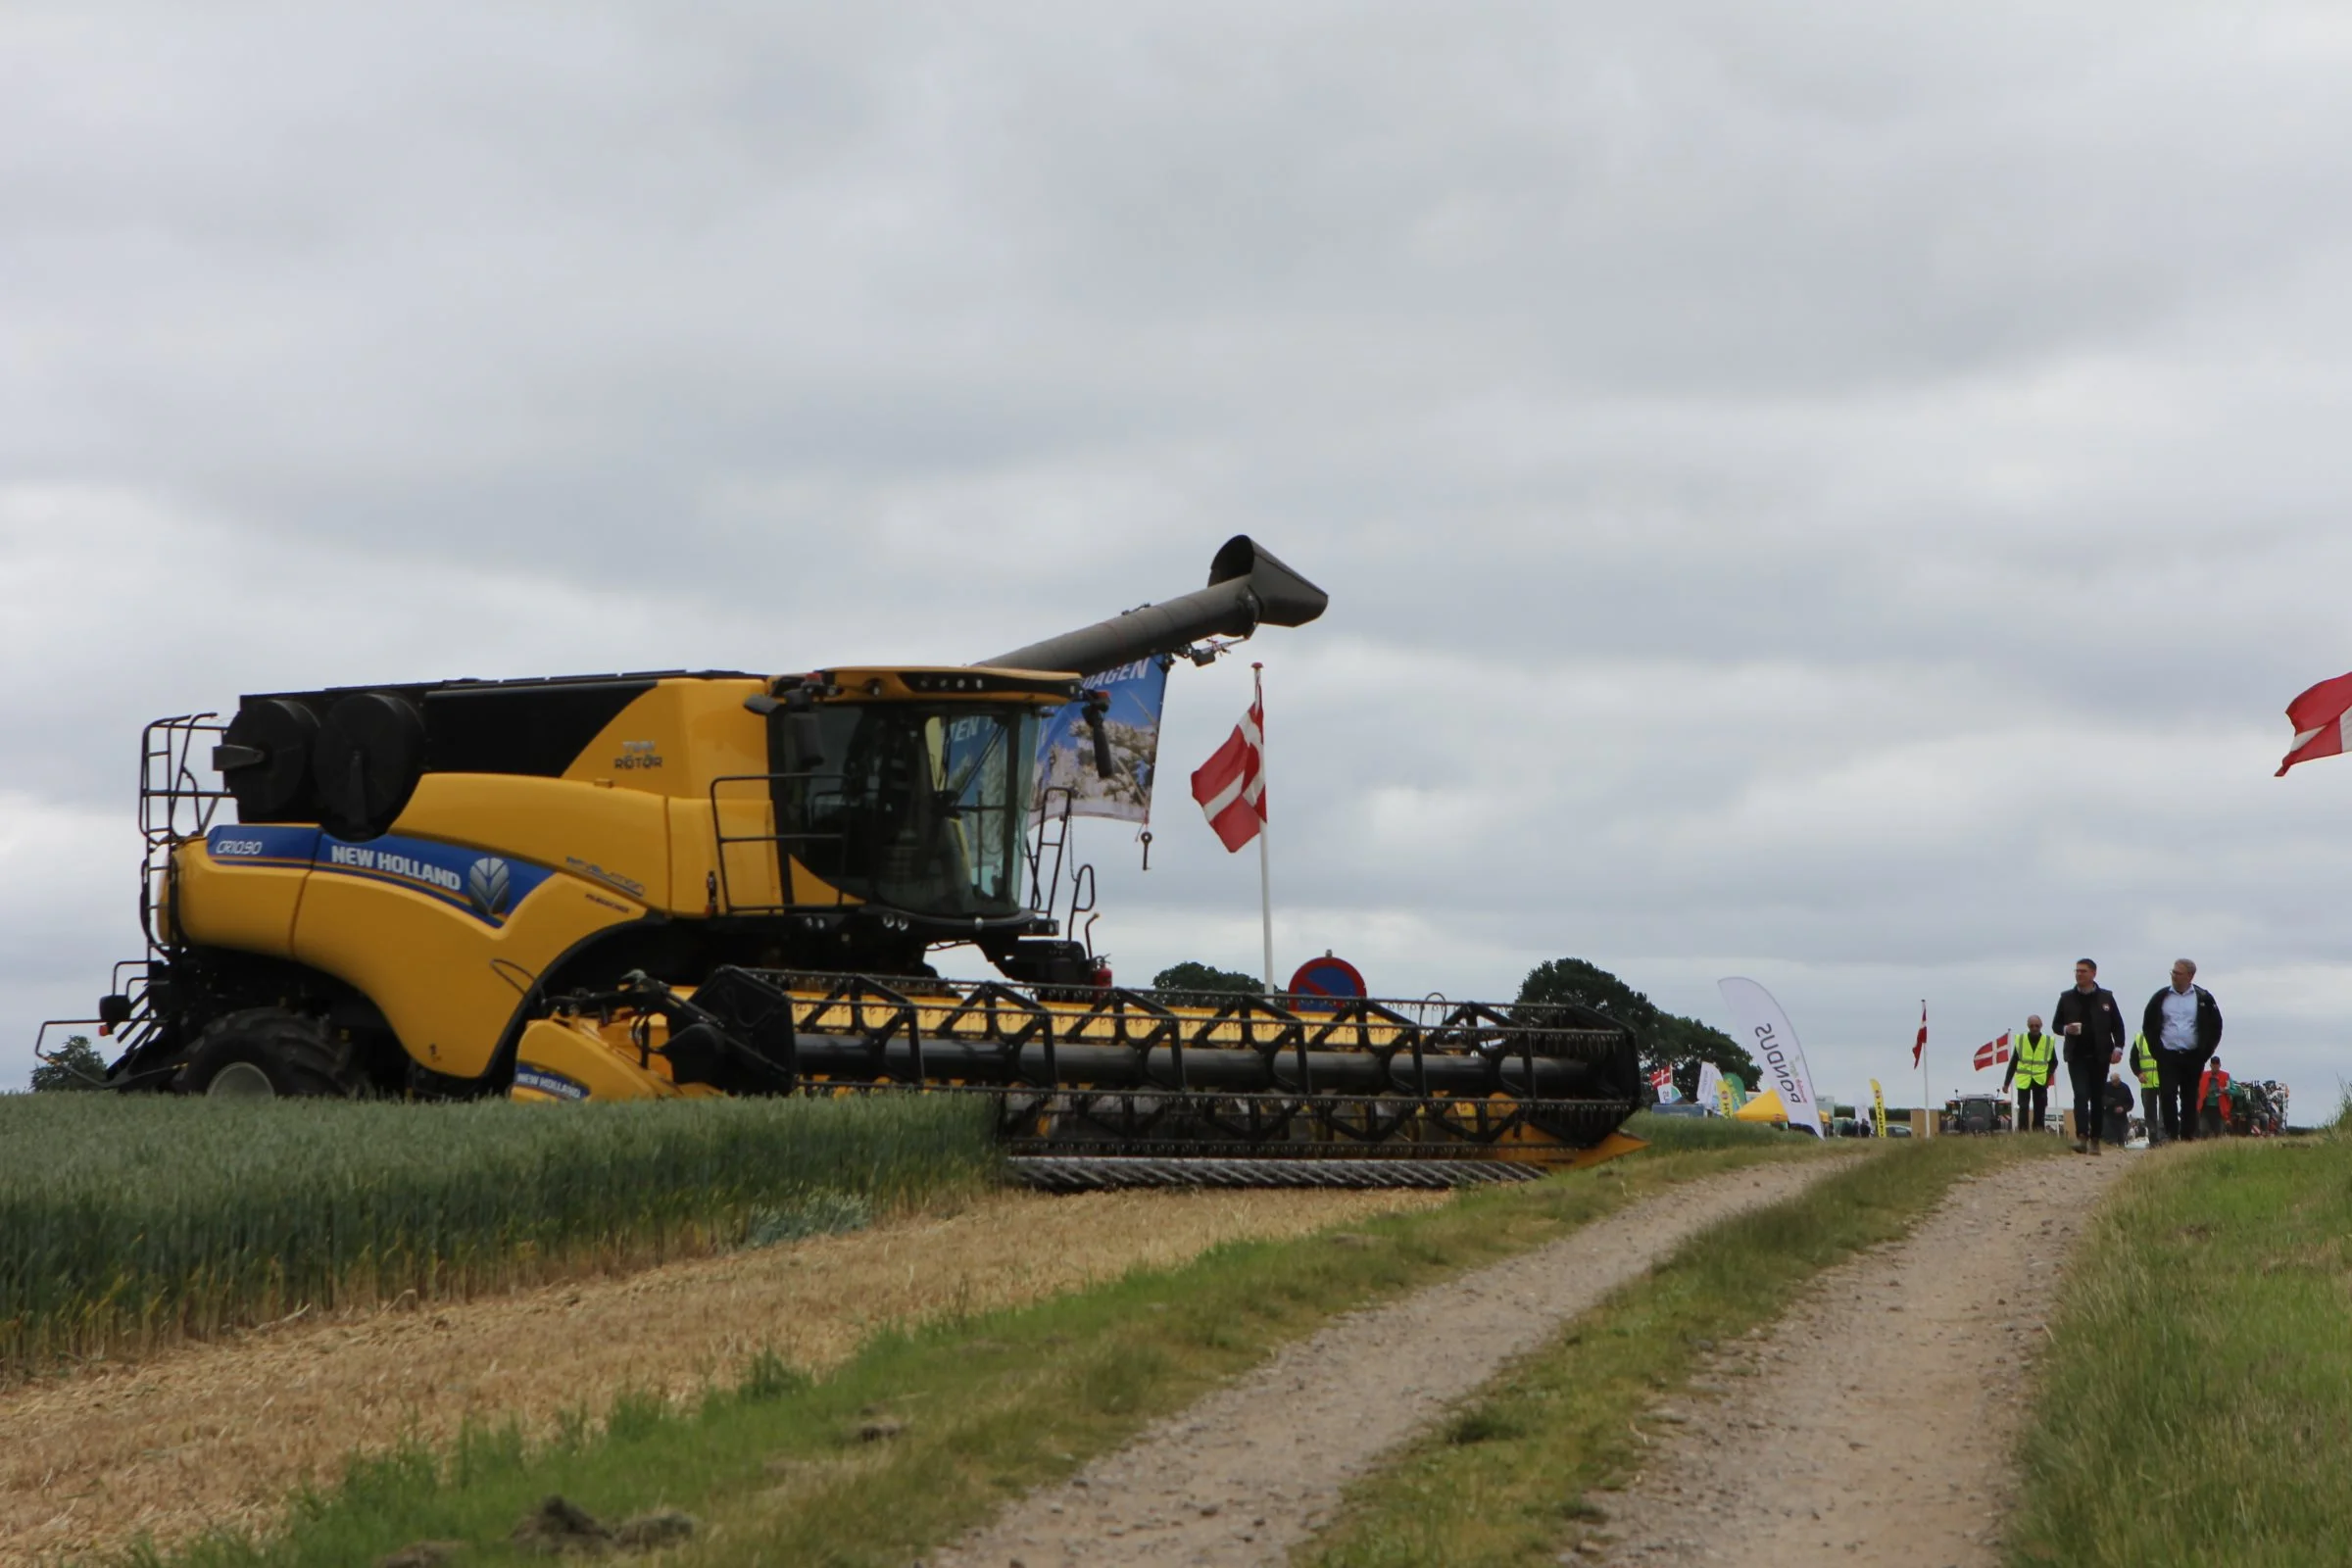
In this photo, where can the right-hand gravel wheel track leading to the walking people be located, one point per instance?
(1876, 1421)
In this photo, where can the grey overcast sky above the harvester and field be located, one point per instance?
(1829, 495)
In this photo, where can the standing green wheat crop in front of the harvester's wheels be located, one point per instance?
(135, 1221)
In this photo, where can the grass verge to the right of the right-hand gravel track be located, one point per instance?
(2198, 1405)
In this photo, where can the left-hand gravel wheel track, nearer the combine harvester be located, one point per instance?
(1257, 1466)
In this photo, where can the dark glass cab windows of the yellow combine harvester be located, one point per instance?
(916, 808)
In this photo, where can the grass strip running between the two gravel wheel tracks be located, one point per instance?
(1511, 1477)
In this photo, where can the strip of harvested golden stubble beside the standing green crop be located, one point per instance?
(218, 1435)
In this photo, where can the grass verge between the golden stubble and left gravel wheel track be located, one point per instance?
(789, 1470)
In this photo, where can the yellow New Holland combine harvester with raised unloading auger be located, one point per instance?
(632, 887)
